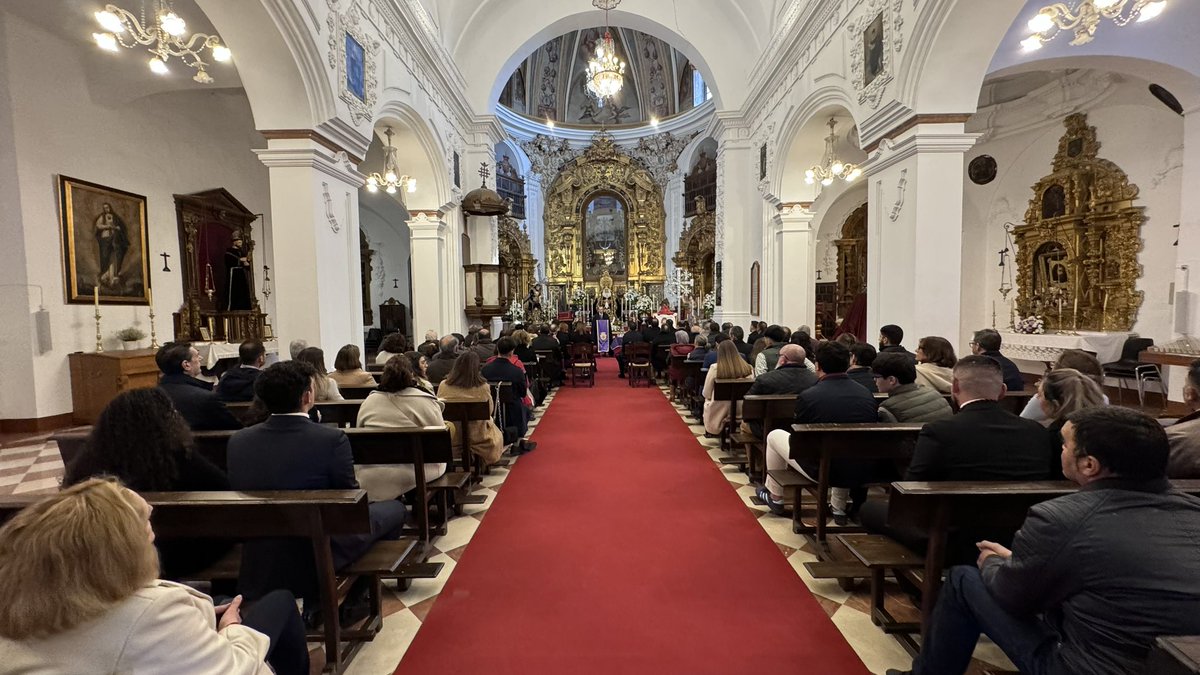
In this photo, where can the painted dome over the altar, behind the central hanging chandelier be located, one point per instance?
(551, 82)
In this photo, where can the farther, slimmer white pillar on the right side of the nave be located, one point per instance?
(795, 291)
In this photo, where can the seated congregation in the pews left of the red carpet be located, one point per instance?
(261, 499)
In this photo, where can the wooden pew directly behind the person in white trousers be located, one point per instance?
(823, 444)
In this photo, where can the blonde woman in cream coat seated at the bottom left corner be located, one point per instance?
(79, 577)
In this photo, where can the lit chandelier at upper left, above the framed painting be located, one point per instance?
(164, 39)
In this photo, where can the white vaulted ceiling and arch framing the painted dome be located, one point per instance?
(490, 39)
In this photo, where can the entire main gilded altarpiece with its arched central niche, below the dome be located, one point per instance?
(628, 248)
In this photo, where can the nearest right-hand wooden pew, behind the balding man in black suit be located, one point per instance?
(940, 507)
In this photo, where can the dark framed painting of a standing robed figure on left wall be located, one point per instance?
(105, 246)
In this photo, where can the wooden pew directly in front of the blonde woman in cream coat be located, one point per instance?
(311, 515)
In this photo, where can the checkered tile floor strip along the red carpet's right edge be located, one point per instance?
(850, 611)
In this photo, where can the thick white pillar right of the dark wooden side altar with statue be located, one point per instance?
(315, 242)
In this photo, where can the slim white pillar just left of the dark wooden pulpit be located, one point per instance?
(428, 235)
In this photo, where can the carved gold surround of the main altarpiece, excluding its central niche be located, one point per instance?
(604, 169)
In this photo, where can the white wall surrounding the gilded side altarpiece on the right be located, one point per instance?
(1139, 135)
